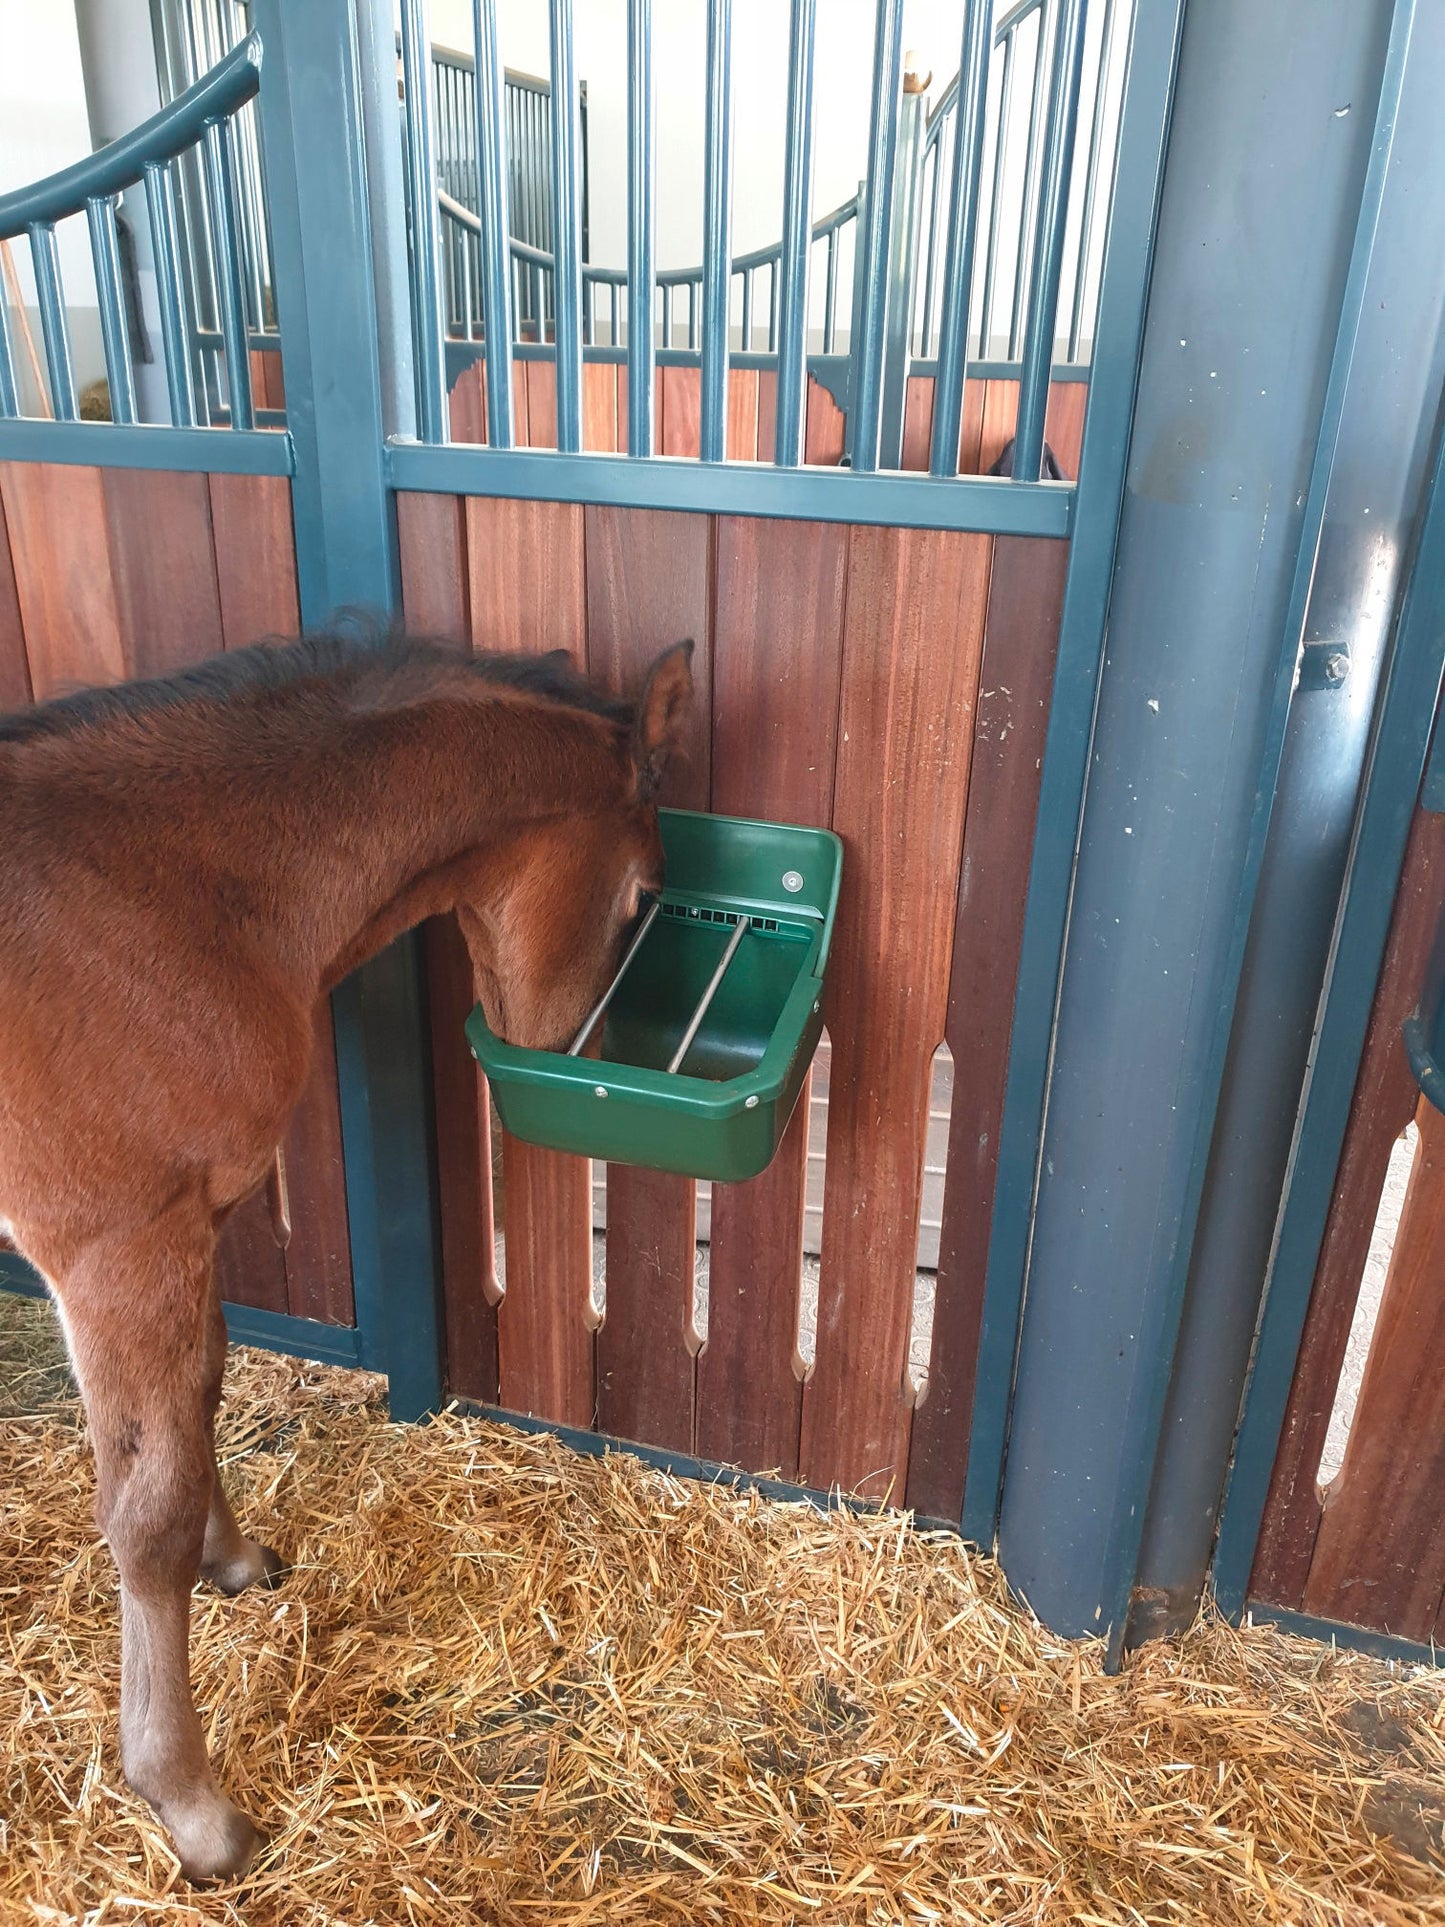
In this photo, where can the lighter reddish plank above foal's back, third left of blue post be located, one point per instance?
(61, 552)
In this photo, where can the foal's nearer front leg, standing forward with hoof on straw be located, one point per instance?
(138, 1311)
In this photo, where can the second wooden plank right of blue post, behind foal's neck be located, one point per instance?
(527, 571)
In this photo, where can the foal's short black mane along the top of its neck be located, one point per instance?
(357, 658)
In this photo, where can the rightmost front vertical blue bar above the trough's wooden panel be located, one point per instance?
(1049, 242)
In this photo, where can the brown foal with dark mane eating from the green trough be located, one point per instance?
(186, 868)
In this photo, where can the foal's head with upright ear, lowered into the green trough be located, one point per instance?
(554, 918)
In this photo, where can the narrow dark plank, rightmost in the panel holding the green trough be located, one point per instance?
(1026, 600)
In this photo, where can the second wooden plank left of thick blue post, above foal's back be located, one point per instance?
(165, 568)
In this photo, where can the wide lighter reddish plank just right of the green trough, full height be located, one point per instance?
(912, 645)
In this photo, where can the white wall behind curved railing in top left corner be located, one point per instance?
(43, 128)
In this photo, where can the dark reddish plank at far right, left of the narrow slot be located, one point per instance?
(1384, 1103)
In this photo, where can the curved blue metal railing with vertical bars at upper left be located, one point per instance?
(199, 119)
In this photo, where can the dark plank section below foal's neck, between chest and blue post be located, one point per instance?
(319, 1255)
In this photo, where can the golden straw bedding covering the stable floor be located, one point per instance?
(510, 1685)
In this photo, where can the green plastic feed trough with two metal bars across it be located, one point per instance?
(712, 1020)
